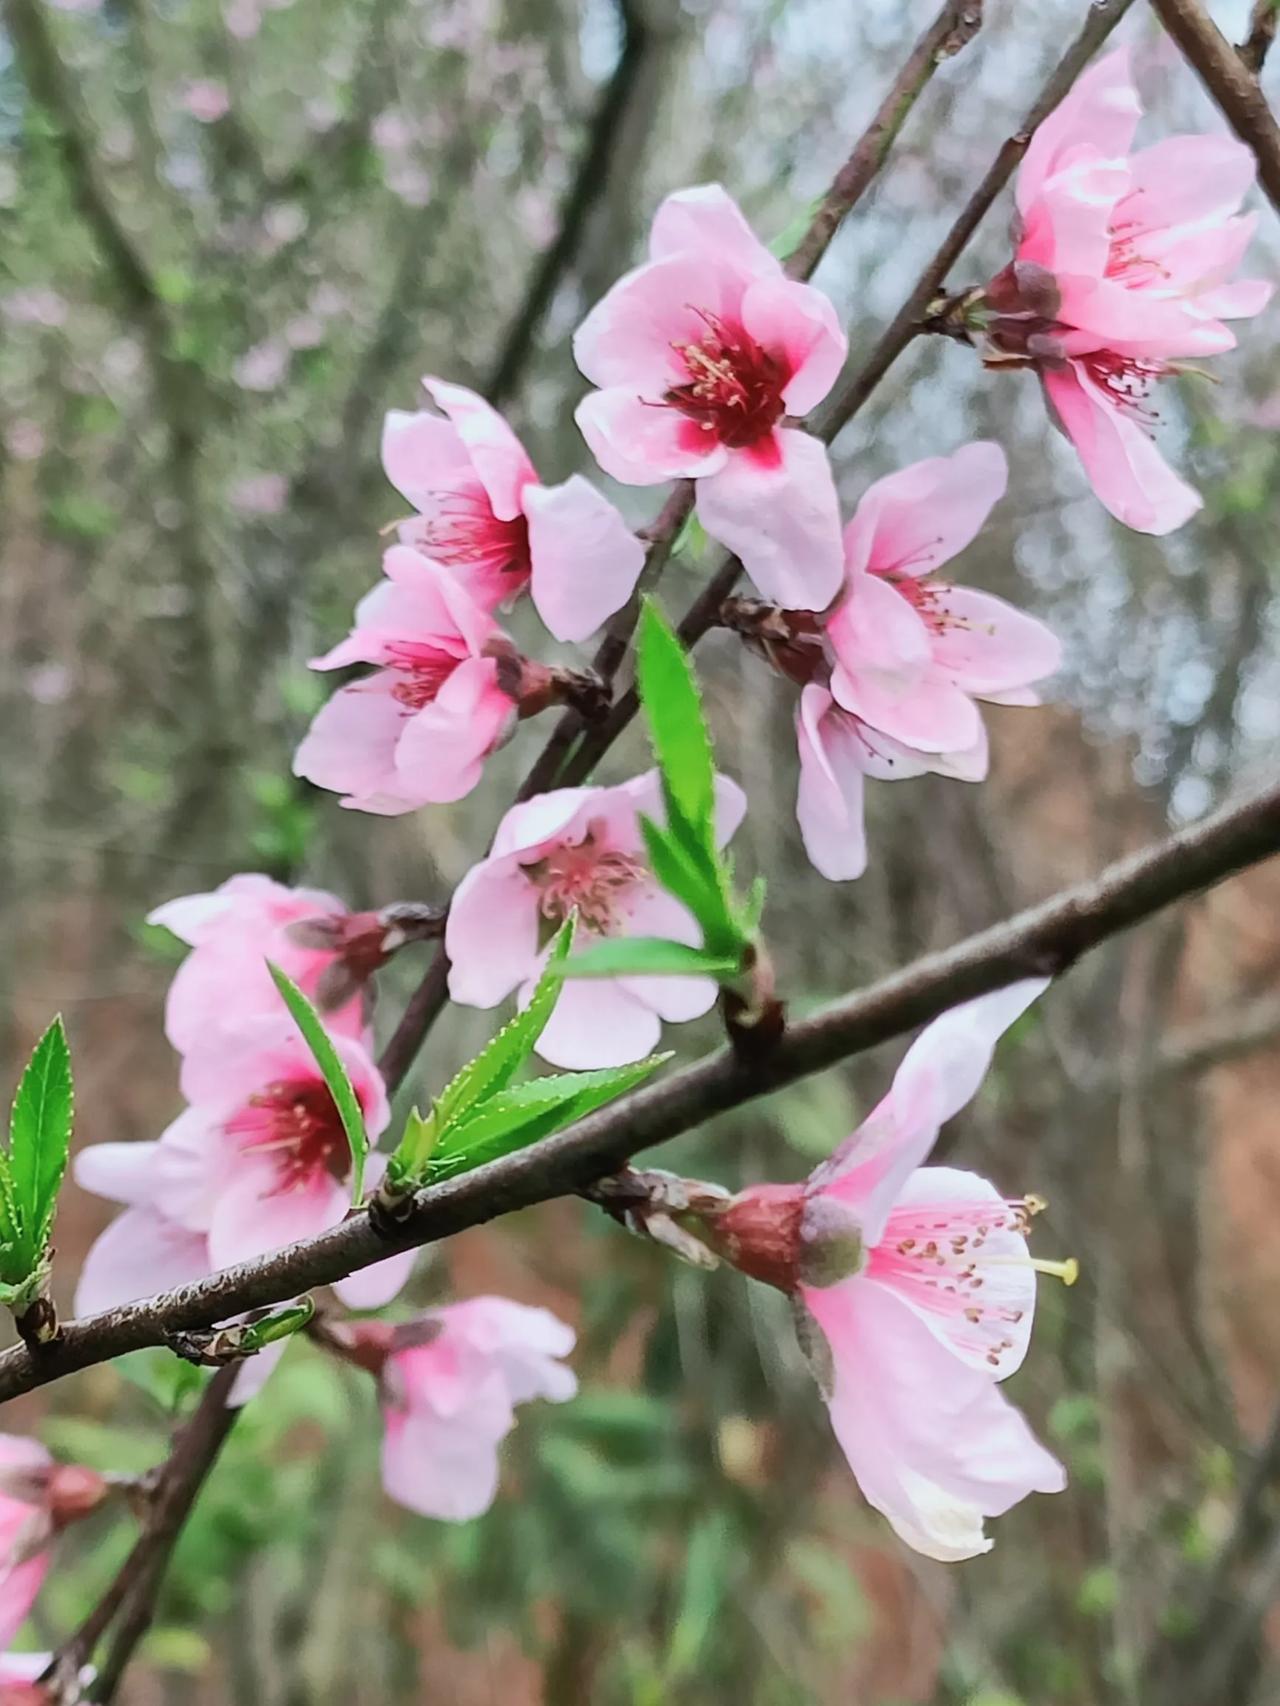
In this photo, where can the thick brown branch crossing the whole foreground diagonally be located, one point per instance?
(1039, 943)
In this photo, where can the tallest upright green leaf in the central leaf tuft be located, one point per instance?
(677, 726)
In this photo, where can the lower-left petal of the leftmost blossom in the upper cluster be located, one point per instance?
(351, 748)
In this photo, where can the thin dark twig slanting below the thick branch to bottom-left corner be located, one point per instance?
(170, 1500)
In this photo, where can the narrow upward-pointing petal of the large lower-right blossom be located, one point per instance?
(940, 1076)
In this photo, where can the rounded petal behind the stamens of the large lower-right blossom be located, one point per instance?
(977, 1292)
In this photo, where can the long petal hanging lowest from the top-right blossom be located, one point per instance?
(1127, 472)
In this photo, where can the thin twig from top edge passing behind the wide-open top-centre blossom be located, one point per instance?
(951, 30)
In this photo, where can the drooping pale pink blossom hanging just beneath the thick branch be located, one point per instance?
(450, 1386)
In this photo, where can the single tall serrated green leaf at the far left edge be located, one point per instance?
(40, 1140)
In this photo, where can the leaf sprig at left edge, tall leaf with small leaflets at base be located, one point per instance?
(33, 1166)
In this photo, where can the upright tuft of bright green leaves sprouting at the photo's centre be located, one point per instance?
(684, 854)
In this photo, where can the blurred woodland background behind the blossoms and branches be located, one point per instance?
(231, 238)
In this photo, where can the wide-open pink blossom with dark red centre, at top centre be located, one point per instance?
(702, 354)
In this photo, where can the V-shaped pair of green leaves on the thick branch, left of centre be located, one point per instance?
(482, 1115)
